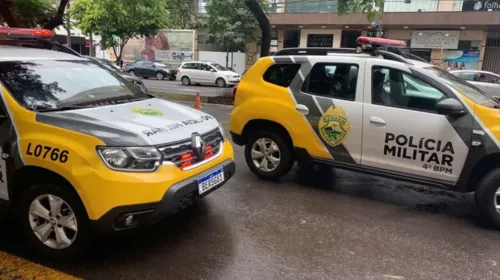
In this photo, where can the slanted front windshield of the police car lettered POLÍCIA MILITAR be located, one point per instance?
(463, 87)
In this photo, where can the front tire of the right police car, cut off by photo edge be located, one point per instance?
(485, 198)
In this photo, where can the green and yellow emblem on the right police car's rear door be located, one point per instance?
(334, 126)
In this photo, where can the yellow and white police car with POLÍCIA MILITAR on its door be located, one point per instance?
(375, 110)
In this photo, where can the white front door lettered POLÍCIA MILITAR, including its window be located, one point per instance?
(402, 132)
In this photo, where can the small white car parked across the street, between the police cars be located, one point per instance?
(207, 72)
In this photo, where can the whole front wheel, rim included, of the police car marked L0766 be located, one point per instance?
(54, 221)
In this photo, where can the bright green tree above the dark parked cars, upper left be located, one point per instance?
(118, 21)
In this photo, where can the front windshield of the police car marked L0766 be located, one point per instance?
(51, 84)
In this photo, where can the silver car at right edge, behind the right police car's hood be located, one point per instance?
(487, 81)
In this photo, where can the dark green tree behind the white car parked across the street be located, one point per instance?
(229, 22)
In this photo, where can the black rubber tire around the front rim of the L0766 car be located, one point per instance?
(80, 240)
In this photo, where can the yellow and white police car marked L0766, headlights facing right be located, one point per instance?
(85, 151)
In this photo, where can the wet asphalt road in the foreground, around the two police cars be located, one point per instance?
(312, 225)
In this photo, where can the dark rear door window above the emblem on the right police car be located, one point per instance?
(333, 80)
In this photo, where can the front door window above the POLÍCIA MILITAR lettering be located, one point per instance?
(391, 87)
